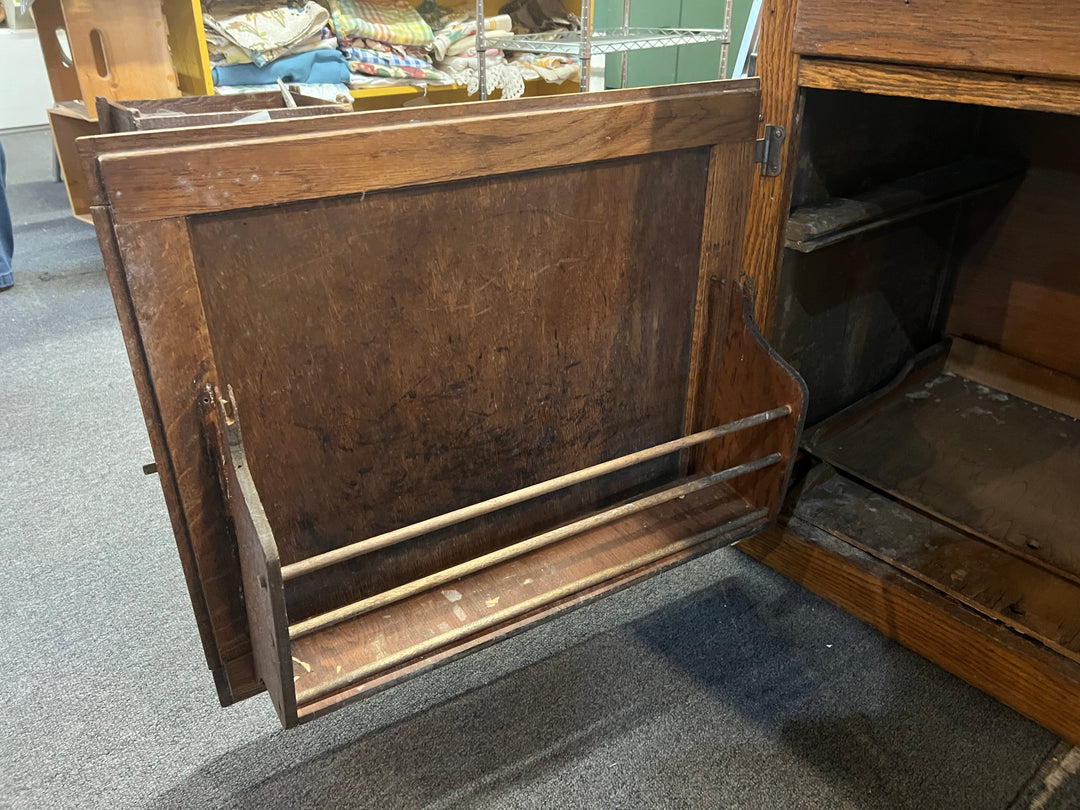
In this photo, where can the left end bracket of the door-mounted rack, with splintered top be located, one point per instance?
(260, 564)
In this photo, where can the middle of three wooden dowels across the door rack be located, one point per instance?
(534, 544)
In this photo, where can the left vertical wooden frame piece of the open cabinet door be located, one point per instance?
(168, 310)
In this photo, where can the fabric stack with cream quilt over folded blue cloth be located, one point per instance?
(261, 42)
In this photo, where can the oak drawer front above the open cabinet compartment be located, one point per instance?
(1036, 37)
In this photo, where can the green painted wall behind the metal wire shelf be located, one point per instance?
(672, 65)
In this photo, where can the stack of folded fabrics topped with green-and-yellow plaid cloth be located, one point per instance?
(385, 43)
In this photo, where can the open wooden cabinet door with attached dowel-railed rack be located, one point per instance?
(489, 361)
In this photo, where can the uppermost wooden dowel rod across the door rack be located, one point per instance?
(519, 496)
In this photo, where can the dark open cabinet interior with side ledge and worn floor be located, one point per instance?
(929, 298)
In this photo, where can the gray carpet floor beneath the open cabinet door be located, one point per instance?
(718, 685)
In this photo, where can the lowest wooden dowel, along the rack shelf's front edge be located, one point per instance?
(478, 626)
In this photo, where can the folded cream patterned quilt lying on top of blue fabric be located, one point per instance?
(265, 35)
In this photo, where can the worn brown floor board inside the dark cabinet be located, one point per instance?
(989, 463)
